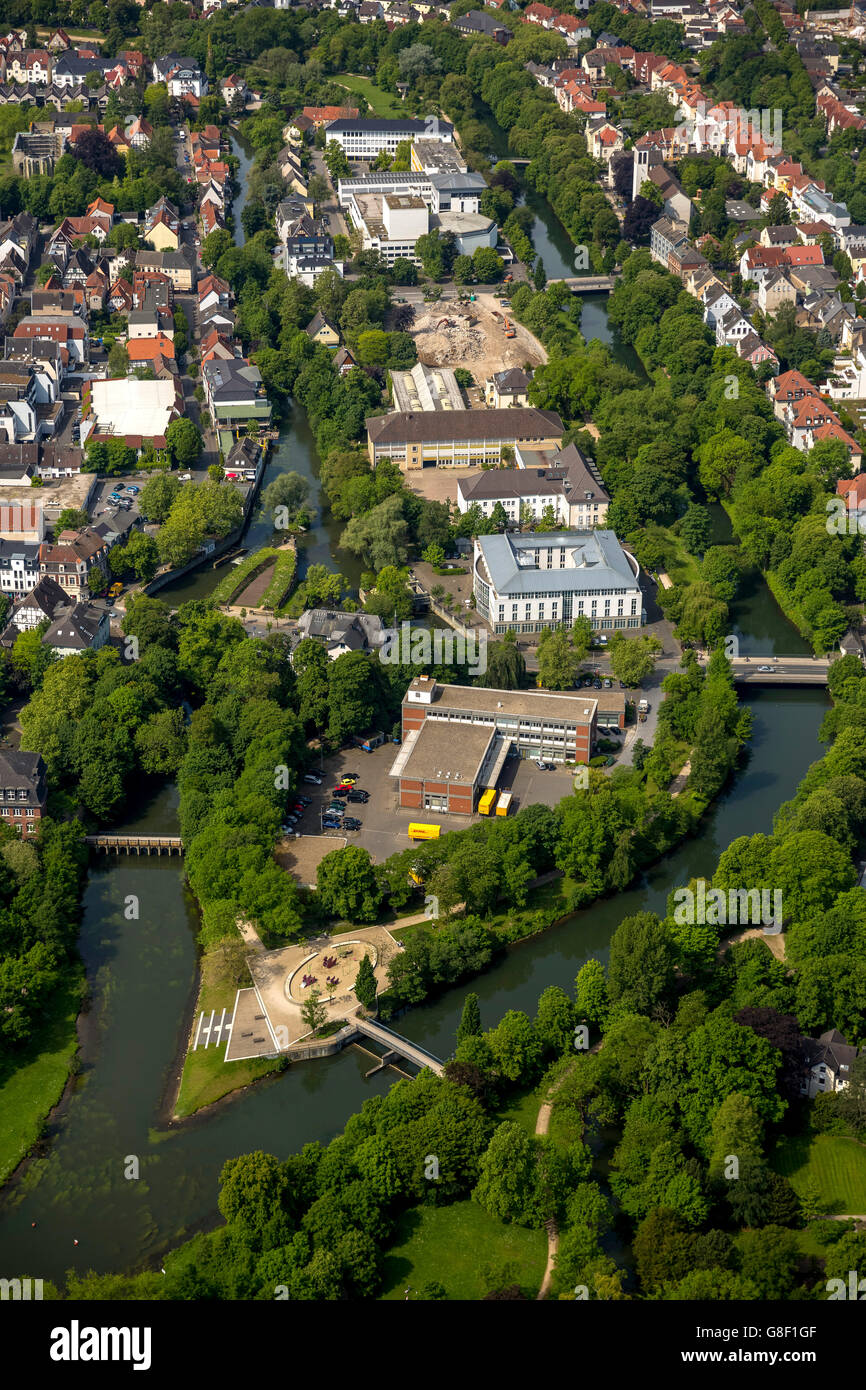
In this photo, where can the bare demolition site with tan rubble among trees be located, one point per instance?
(477, 336)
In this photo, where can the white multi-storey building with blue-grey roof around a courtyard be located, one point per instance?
(529, 583)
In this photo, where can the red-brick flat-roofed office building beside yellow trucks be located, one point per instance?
(457, 740)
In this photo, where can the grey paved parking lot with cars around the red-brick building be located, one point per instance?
(384, 825)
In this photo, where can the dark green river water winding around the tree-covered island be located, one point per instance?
(142, 972)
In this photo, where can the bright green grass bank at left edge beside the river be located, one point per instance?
(35, 1081)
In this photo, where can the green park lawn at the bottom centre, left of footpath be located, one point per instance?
(452, 1245)
